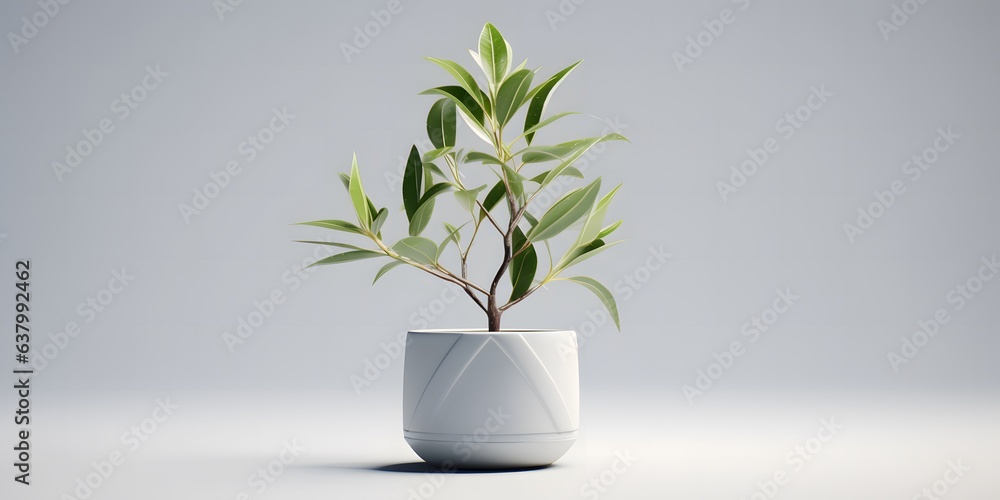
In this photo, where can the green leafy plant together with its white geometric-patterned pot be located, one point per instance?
(489, 398)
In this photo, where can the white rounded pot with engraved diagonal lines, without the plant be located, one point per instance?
(483, 400)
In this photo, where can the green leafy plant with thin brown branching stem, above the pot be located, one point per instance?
(523, 169)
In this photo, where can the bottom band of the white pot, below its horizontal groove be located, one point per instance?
(495, 452)
